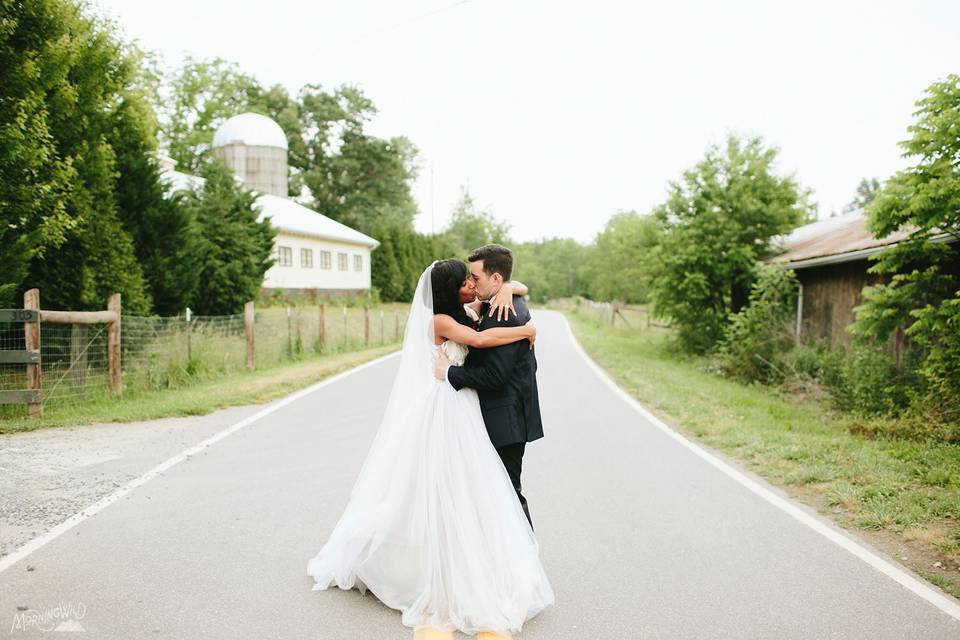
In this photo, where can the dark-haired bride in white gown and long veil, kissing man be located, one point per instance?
(433, 526)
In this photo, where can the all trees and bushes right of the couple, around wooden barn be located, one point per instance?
(701, 260)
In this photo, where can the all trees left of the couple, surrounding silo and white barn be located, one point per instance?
(84, 211)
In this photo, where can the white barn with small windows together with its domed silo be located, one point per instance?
(314, 254)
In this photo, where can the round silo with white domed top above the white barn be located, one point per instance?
(255, 148)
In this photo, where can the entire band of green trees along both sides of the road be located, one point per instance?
(84, 212)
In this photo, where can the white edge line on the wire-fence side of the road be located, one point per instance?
(26, 549)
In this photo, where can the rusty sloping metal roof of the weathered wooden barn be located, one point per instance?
(842, 238)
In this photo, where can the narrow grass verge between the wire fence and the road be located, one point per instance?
(201, 397)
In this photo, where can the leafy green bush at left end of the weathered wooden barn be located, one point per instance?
(756, 339)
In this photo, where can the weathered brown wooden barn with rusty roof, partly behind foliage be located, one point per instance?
(831, 258)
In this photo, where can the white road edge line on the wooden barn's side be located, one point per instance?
(937, 599)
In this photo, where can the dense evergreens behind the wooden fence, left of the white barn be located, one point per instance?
(83, 210)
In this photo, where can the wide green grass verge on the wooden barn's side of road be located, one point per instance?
(907, 488)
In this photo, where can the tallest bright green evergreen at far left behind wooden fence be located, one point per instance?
(64, 76)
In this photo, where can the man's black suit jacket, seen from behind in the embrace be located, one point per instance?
(505, 378)
